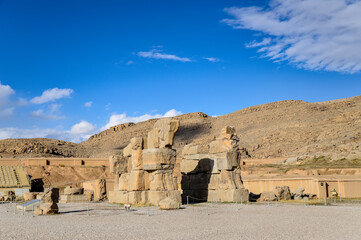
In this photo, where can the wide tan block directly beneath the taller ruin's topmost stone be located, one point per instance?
(154, 158)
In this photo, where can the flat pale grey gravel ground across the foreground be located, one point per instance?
(217, 221)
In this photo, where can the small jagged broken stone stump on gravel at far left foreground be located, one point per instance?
(50, 206)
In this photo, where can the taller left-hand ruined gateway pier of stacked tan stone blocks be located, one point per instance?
(148, 175)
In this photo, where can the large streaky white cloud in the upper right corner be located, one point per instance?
(315, 35)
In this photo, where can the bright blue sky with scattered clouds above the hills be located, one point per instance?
(69, 69)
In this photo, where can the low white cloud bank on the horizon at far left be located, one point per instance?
(78, 133)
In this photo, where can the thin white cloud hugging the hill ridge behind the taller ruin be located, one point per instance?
(116, 119)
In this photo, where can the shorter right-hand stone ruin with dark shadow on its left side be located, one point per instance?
(215, 176)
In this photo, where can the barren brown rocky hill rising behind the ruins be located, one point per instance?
(280, 129)
